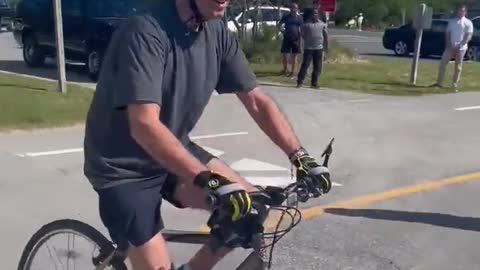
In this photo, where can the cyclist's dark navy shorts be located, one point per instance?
(131, 211)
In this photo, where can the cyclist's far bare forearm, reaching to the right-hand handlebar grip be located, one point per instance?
(270, 119)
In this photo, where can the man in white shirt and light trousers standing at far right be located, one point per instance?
(459, 33)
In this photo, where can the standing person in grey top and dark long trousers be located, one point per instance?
(315, 41)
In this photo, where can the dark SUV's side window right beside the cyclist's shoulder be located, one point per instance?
(113, 8)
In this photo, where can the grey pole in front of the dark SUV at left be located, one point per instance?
(57, 6)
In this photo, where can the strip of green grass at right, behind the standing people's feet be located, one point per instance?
(380, 76)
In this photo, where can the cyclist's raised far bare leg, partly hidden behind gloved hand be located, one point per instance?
(193, 197)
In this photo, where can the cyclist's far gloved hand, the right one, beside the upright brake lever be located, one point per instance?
(315, 176)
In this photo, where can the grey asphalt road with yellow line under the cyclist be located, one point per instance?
(381, 143)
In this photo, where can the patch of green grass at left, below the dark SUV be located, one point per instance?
(31, 103)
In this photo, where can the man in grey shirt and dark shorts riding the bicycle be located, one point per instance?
(157, 77)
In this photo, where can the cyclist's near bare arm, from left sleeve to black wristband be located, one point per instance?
(160, 143)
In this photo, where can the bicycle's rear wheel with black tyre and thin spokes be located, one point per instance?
(82, 247)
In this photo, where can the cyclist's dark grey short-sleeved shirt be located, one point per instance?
(155, 58)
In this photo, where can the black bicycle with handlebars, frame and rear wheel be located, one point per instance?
(246, 236)
